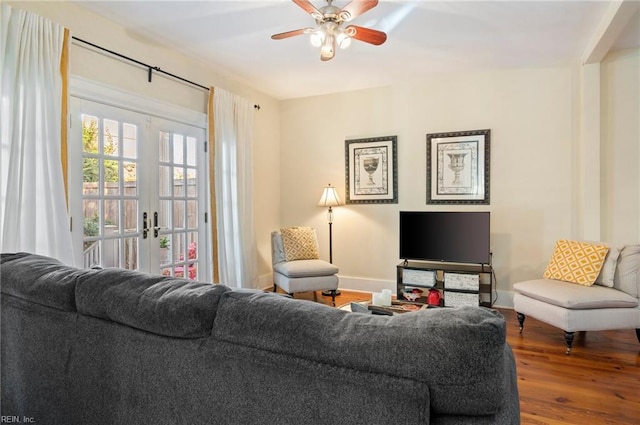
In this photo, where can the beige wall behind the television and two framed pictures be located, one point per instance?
(534, 119)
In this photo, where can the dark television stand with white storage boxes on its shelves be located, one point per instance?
(459, 284)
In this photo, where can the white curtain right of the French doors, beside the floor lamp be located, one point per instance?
(237, 257)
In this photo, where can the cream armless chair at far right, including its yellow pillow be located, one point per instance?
(570, 300)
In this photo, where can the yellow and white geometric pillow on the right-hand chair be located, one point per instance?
(576, 262)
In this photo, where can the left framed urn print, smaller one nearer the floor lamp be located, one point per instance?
(371, 170)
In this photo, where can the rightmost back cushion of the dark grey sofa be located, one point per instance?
(458, 352)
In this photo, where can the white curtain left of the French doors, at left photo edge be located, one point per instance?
(33, 212)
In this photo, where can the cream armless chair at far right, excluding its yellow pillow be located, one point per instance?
(574, 308)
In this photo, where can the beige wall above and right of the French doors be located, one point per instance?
(87, 63)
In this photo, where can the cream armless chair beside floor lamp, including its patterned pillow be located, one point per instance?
(296, 263)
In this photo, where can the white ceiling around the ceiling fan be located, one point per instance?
(424, 37)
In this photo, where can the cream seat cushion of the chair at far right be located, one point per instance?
(576, 297)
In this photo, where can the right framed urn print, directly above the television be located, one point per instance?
(458, 167)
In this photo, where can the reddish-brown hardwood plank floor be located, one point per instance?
(599, 383)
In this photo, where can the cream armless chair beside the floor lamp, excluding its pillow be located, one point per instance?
(301, 275)
